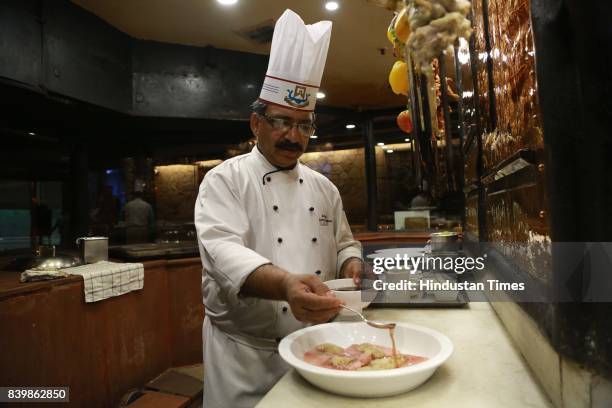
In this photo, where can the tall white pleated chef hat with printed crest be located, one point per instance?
(297, 60)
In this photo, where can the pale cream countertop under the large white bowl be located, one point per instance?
(485, 370)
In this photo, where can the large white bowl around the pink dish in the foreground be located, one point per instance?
(410, 339)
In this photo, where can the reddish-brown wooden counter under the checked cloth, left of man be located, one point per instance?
(101, 349)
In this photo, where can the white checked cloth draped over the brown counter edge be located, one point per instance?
(103, 280)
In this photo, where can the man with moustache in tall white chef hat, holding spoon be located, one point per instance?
(270, 230)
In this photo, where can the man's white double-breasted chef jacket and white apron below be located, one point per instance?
(249, 213)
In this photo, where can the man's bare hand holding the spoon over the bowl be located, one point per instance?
(310, 300)
